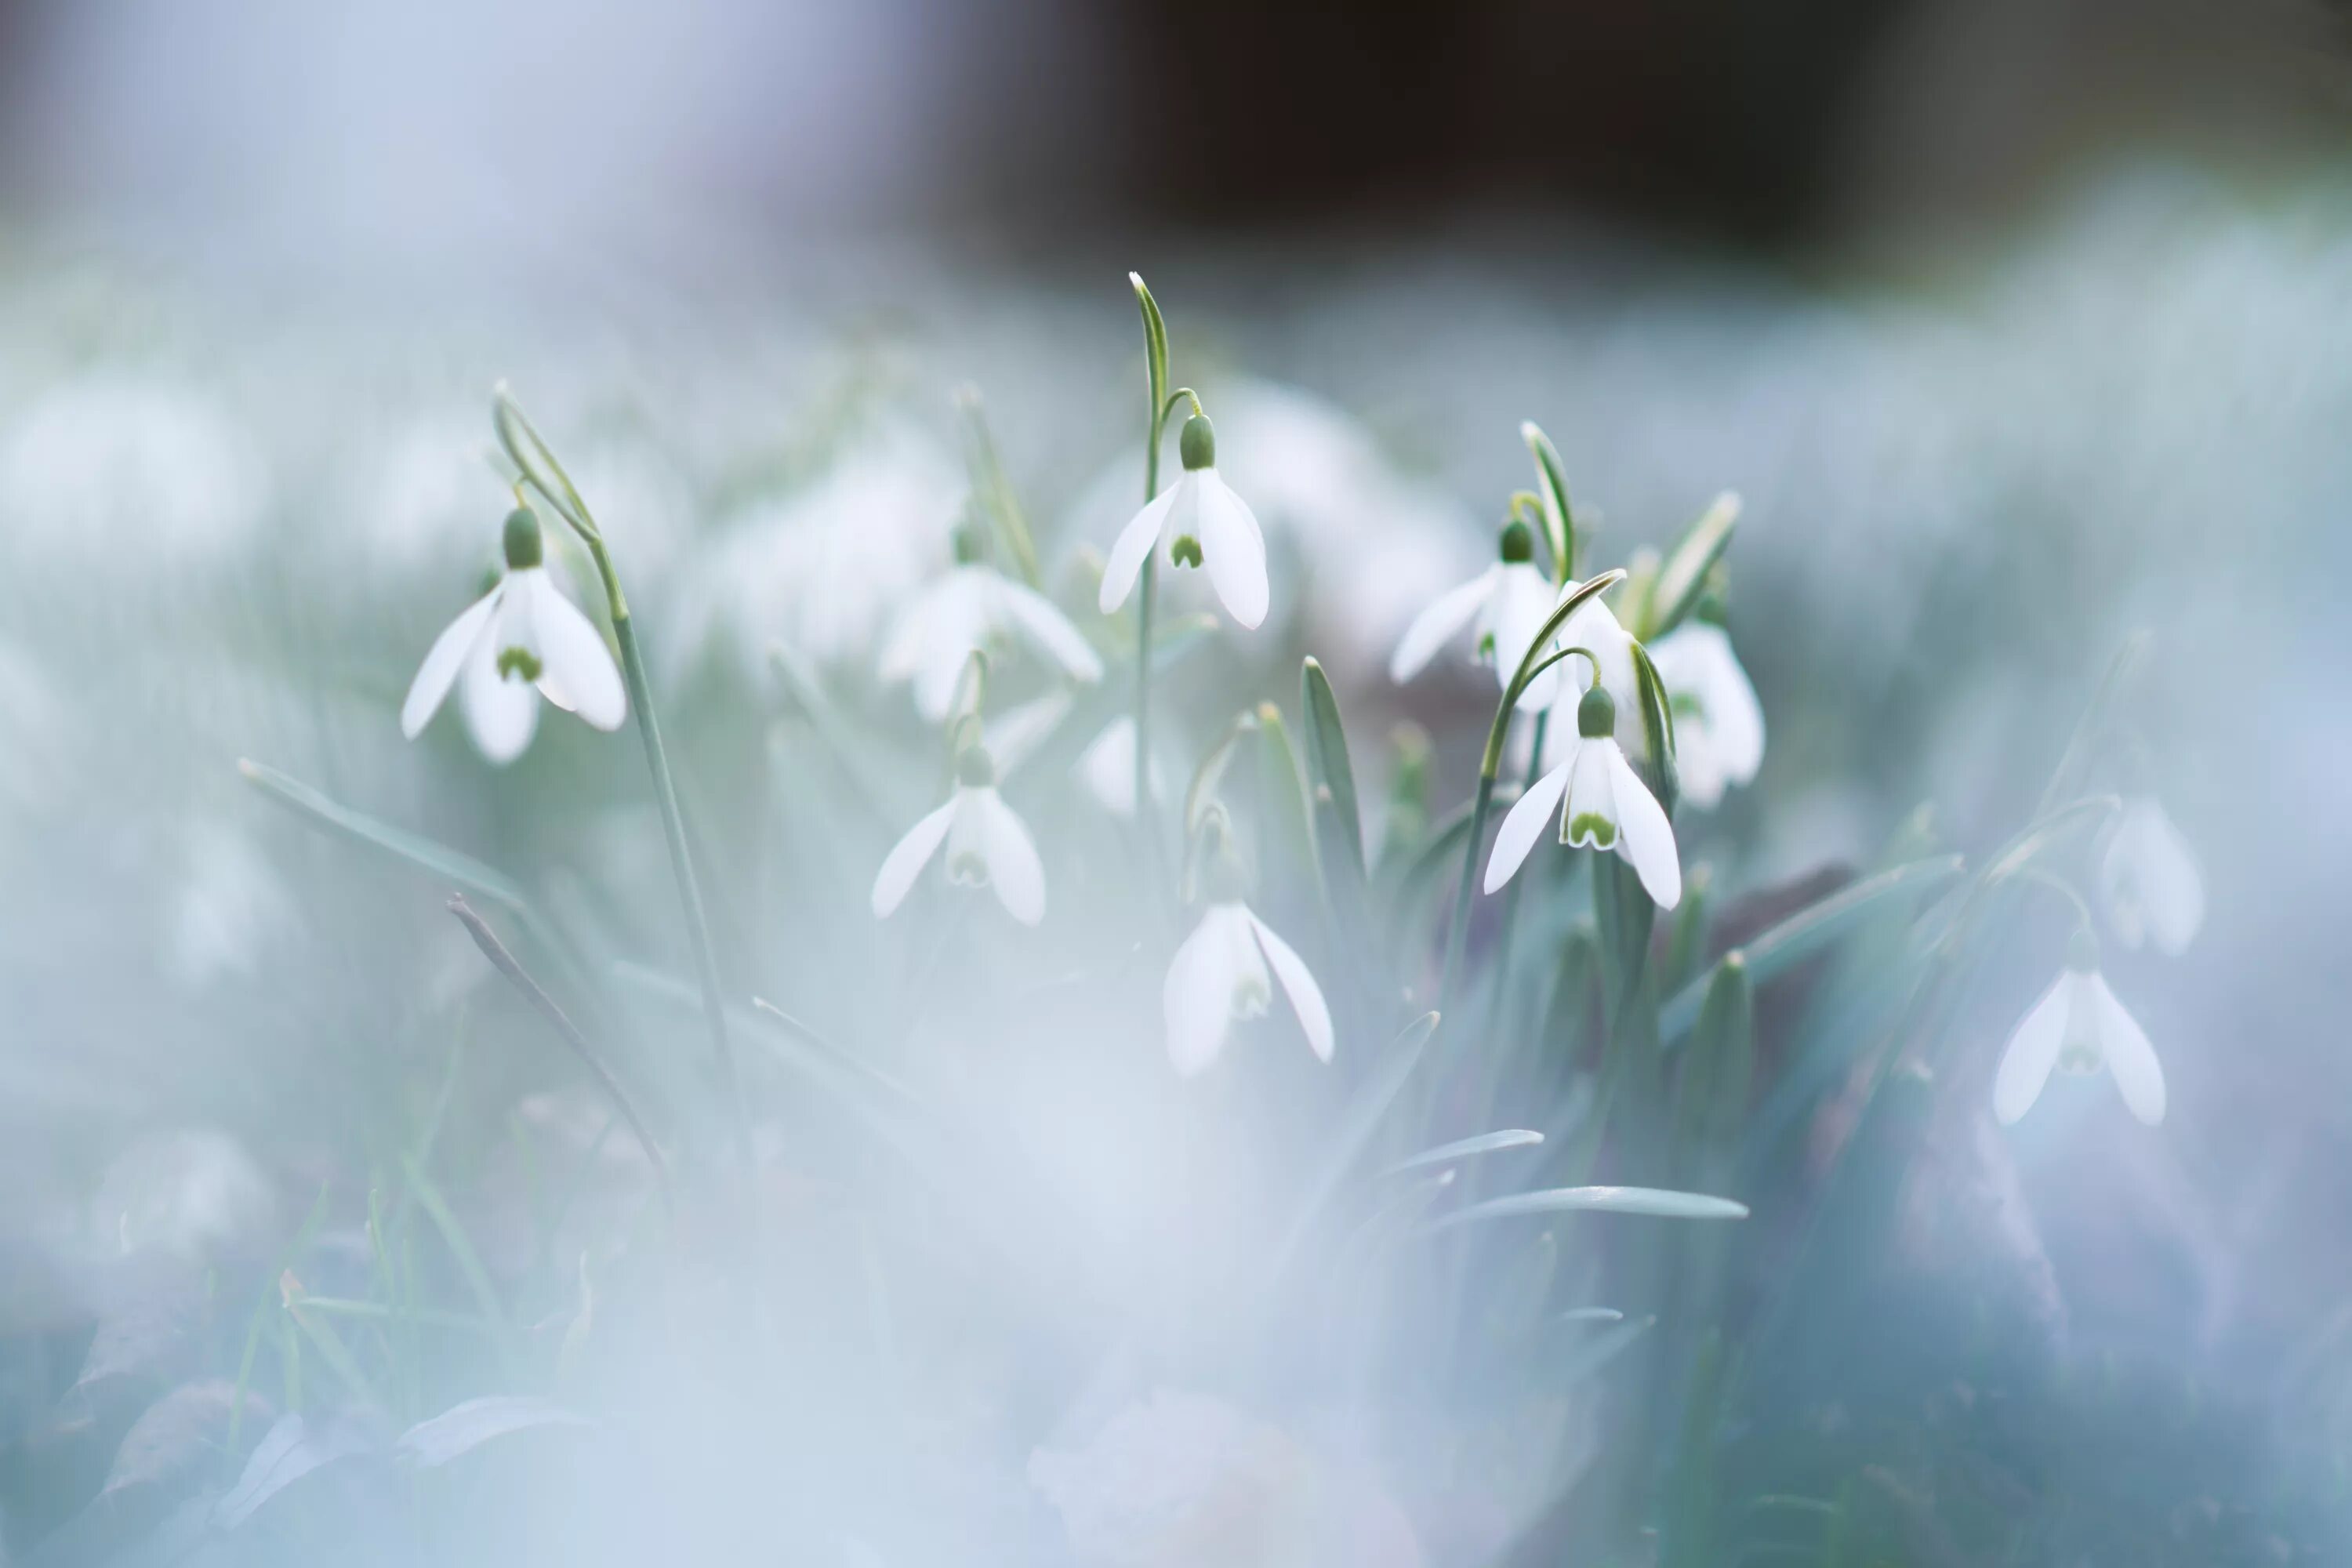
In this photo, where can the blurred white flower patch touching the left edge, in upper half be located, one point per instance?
(114, 462)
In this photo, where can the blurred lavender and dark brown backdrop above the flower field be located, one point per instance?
(1760, 126)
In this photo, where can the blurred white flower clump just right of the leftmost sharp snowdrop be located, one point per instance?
(824, 565)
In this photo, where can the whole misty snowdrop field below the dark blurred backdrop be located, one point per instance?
(1165, 1186)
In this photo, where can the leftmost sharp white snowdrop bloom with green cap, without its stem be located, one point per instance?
(519, 643)
